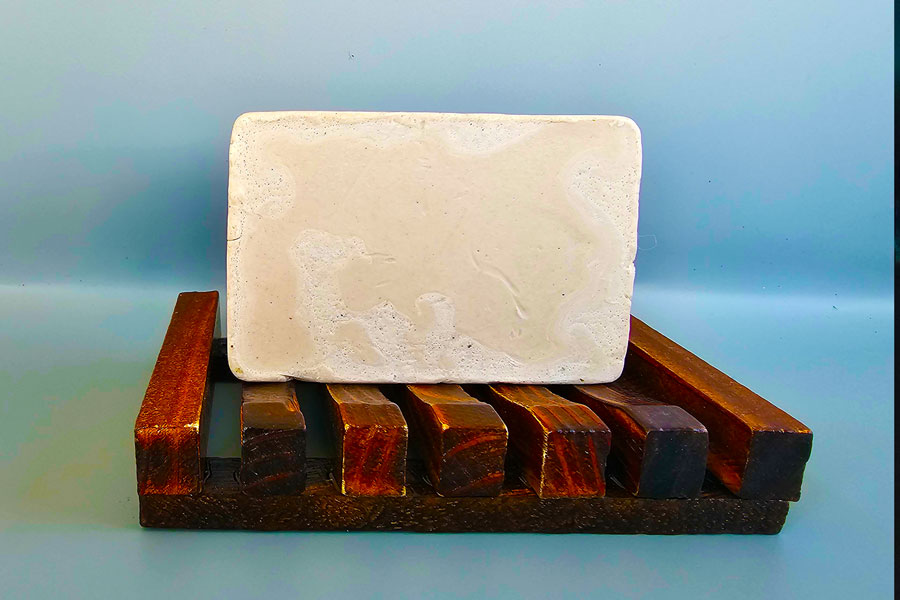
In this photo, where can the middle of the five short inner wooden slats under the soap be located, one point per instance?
(463, 439)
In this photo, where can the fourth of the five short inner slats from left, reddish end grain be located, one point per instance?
(561, 446)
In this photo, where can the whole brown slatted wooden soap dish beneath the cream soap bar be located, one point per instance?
(688, 450)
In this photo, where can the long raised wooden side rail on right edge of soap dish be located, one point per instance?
(756, 449)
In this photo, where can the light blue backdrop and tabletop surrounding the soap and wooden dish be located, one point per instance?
(766, 247)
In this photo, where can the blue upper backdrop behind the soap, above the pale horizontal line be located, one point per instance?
(767, 127)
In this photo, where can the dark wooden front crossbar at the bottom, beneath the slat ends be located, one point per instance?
(321, 507)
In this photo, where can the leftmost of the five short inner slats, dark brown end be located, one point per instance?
(273, 440)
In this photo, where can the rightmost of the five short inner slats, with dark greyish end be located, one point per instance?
(658, 450)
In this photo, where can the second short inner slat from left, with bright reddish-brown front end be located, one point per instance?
(371, 437)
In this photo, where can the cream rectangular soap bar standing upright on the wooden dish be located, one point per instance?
(428, 247)
